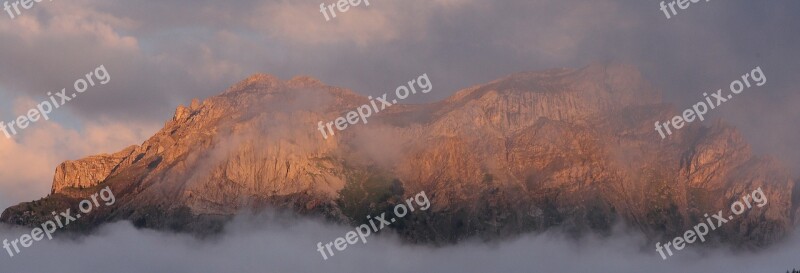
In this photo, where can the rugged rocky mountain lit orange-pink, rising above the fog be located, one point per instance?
(569, 149)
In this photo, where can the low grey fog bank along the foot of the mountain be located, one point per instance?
(271, 243)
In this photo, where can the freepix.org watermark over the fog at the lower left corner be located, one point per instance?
(60, 220)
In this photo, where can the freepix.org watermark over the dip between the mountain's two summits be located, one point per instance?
(362, 113)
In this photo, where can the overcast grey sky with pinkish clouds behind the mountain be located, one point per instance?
(164, 53)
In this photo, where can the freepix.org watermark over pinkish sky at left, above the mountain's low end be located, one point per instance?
(43, 109)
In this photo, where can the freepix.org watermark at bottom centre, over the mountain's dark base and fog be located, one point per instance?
(362, 232)
